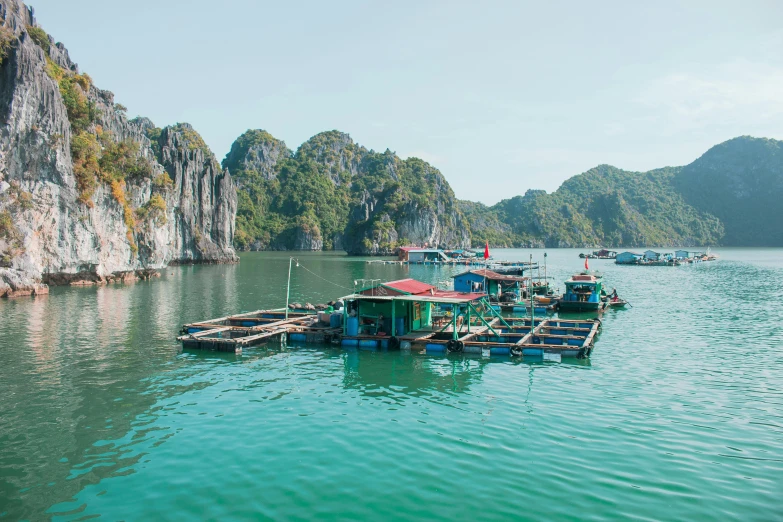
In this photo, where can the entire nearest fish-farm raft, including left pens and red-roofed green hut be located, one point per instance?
(404, 315)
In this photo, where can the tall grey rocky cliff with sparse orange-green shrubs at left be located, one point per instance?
(87, 195)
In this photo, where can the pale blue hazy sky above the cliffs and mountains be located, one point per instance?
(501, 97)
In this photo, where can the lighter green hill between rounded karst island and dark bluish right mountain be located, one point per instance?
(603, 206)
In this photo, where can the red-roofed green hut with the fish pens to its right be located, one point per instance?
(378, 320)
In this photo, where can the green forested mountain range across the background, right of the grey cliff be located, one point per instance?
(333, 193)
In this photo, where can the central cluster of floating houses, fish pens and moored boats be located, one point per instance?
(487, 312)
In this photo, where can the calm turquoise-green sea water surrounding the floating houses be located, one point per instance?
(678, 415)
